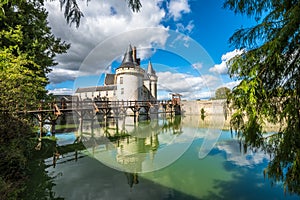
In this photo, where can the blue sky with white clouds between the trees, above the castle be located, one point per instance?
(186, 41)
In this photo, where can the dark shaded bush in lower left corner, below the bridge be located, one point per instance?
(14, 153)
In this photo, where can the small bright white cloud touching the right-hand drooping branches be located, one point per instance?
(222, 68)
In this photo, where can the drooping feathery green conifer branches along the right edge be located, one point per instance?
(269, 90)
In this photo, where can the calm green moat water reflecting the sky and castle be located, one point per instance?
(225, 173)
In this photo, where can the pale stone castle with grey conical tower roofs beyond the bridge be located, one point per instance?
(129, 83)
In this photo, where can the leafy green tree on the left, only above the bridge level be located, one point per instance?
(25, 35)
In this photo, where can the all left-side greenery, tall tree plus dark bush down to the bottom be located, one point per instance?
(27, 50)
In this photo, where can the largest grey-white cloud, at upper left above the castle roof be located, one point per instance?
(103, 20)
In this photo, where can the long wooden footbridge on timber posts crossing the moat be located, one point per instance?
(89, 109)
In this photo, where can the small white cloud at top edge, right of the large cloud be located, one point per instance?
(177, 8)
